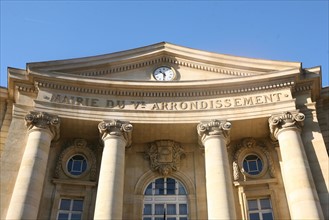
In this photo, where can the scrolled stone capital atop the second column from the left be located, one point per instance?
(116, 128)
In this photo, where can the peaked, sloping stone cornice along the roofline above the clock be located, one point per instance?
(161, 53)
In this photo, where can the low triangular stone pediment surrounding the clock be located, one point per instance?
(138, 65)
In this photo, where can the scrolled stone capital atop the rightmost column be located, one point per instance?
(284, 121)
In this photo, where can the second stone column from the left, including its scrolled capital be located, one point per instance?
(109, 201)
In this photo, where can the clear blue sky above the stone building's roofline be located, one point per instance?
(33, 31)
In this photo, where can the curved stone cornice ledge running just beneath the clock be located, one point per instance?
(64, 78)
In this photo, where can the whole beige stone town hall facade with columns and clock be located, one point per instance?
(164, 132)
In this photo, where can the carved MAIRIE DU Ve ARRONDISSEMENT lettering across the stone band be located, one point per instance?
(210, 104)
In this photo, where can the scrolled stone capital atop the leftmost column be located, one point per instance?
(43, 120)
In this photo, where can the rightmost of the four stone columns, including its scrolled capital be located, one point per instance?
(302, 197)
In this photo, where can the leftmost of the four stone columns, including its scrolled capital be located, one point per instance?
(25, 200)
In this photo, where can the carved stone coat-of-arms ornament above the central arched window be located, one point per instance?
(165, 156)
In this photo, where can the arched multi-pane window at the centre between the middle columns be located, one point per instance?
(165, 198)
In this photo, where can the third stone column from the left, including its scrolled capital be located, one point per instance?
(214, 137)
